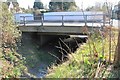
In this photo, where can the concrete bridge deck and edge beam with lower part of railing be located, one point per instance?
(60, 26)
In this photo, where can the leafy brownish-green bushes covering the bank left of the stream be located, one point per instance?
(11, 61)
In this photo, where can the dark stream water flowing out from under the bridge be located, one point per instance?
(37, 59)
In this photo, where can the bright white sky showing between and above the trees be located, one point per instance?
(86, 3)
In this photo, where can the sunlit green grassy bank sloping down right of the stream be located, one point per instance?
(84, 62)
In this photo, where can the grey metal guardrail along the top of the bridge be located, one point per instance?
(62, 19)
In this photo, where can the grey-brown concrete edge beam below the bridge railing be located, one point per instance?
(66, 30)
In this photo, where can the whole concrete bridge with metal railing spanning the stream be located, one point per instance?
(61, 24)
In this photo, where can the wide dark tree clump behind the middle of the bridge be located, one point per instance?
(62, 6)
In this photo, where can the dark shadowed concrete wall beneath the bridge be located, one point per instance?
(40, 39)
